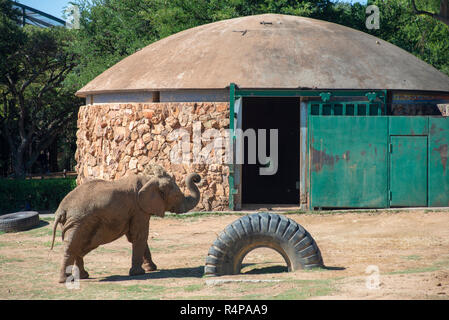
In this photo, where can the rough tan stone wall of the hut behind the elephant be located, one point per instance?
(116, 139)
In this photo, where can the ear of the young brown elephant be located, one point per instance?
(150, 198)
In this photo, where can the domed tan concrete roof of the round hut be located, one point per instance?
(269, 51)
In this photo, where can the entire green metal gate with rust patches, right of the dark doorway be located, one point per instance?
(378, 161)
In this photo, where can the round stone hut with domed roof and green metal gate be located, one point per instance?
(181, 102)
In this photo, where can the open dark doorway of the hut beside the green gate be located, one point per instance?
(283, 186)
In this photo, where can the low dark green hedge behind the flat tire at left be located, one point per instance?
(46, 194)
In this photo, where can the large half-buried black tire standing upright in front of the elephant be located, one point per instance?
(284, 235)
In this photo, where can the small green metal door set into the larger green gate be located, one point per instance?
(408, 171)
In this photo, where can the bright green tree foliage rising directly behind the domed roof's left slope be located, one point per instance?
(113, 29)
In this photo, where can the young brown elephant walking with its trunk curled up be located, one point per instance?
(99, 211)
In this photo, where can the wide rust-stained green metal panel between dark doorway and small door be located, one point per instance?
(348, 161)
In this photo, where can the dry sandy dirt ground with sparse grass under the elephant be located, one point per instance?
(368, 255)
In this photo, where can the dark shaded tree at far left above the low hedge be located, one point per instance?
(35, 106)
